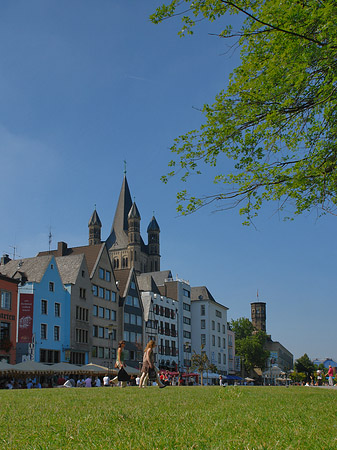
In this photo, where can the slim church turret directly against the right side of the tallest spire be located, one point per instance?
(134, 240)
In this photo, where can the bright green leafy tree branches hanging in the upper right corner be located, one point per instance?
(276, 119)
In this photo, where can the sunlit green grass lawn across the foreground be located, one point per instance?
(233, 418)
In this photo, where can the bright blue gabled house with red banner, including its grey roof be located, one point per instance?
(44, 310)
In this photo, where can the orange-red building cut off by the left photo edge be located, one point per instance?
(8, 316)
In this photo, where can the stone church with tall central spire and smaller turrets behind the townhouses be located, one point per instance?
(125, 243)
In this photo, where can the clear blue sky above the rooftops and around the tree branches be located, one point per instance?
(85, 85)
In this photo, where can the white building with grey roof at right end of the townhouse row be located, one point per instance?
(209, 328)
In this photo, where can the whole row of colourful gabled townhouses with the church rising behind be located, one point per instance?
(75, 304)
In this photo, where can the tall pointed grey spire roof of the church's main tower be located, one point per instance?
(120, 224)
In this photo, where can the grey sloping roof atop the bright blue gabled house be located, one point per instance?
(31, 268)
